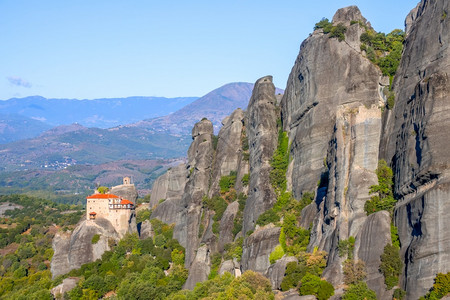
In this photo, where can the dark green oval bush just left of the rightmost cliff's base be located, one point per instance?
(391, 265)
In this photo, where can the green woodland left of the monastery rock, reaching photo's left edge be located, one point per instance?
(29, 230)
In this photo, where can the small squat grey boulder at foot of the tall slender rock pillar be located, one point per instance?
(257, 248)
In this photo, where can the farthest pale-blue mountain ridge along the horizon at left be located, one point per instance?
(42, 113)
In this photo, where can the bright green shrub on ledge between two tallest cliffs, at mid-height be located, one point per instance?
(383, 198)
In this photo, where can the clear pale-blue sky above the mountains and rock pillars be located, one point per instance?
(89, 49)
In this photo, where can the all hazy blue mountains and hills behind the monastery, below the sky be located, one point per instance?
(47, 160)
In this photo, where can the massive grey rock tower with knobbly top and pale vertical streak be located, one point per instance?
(332, 112)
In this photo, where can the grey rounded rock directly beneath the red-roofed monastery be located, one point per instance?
(71, 250)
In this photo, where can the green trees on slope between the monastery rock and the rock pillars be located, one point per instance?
(135, 268)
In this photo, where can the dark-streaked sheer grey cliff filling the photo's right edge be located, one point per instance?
(416, 141)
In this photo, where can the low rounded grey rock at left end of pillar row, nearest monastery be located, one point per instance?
(169, 185)
